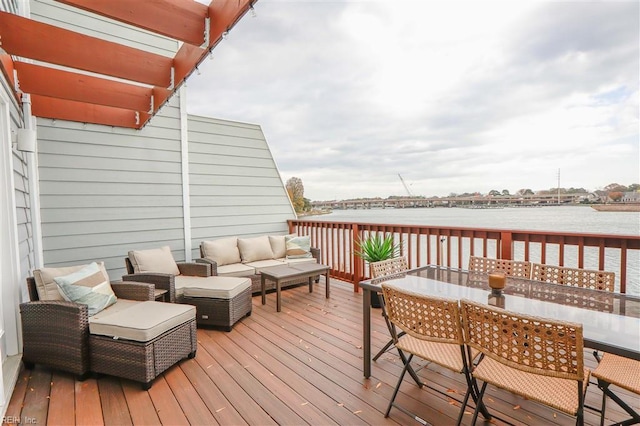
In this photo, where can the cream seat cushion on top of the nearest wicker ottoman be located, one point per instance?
(142, 321)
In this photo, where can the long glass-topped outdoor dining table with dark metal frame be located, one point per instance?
(611, 321)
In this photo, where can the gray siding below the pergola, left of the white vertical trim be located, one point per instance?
(105, 191)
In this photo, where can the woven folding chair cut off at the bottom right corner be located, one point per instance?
(622, 372)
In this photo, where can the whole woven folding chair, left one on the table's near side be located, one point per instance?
(432, 332)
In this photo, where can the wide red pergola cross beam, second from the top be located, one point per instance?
(48, 43)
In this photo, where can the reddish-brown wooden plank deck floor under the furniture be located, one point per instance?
(300, 366)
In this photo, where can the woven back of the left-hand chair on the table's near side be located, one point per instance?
(423, 317)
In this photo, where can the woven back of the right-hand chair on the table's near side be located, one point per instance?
(535, 345)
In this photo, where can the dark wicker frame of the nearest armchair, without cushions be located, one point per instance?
(55, 333)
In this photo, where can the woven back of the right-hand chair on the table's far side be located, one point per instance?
(574, 277)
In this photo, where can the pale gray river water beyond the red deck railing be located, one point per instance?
(581, 219)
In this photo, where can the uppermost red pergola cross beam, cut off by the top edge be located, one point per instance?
(182, 20)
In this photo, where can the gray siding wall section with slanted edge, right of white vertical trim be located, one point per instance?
(234, 183)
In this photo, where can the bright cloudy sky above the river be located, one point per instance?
(453, 96)
